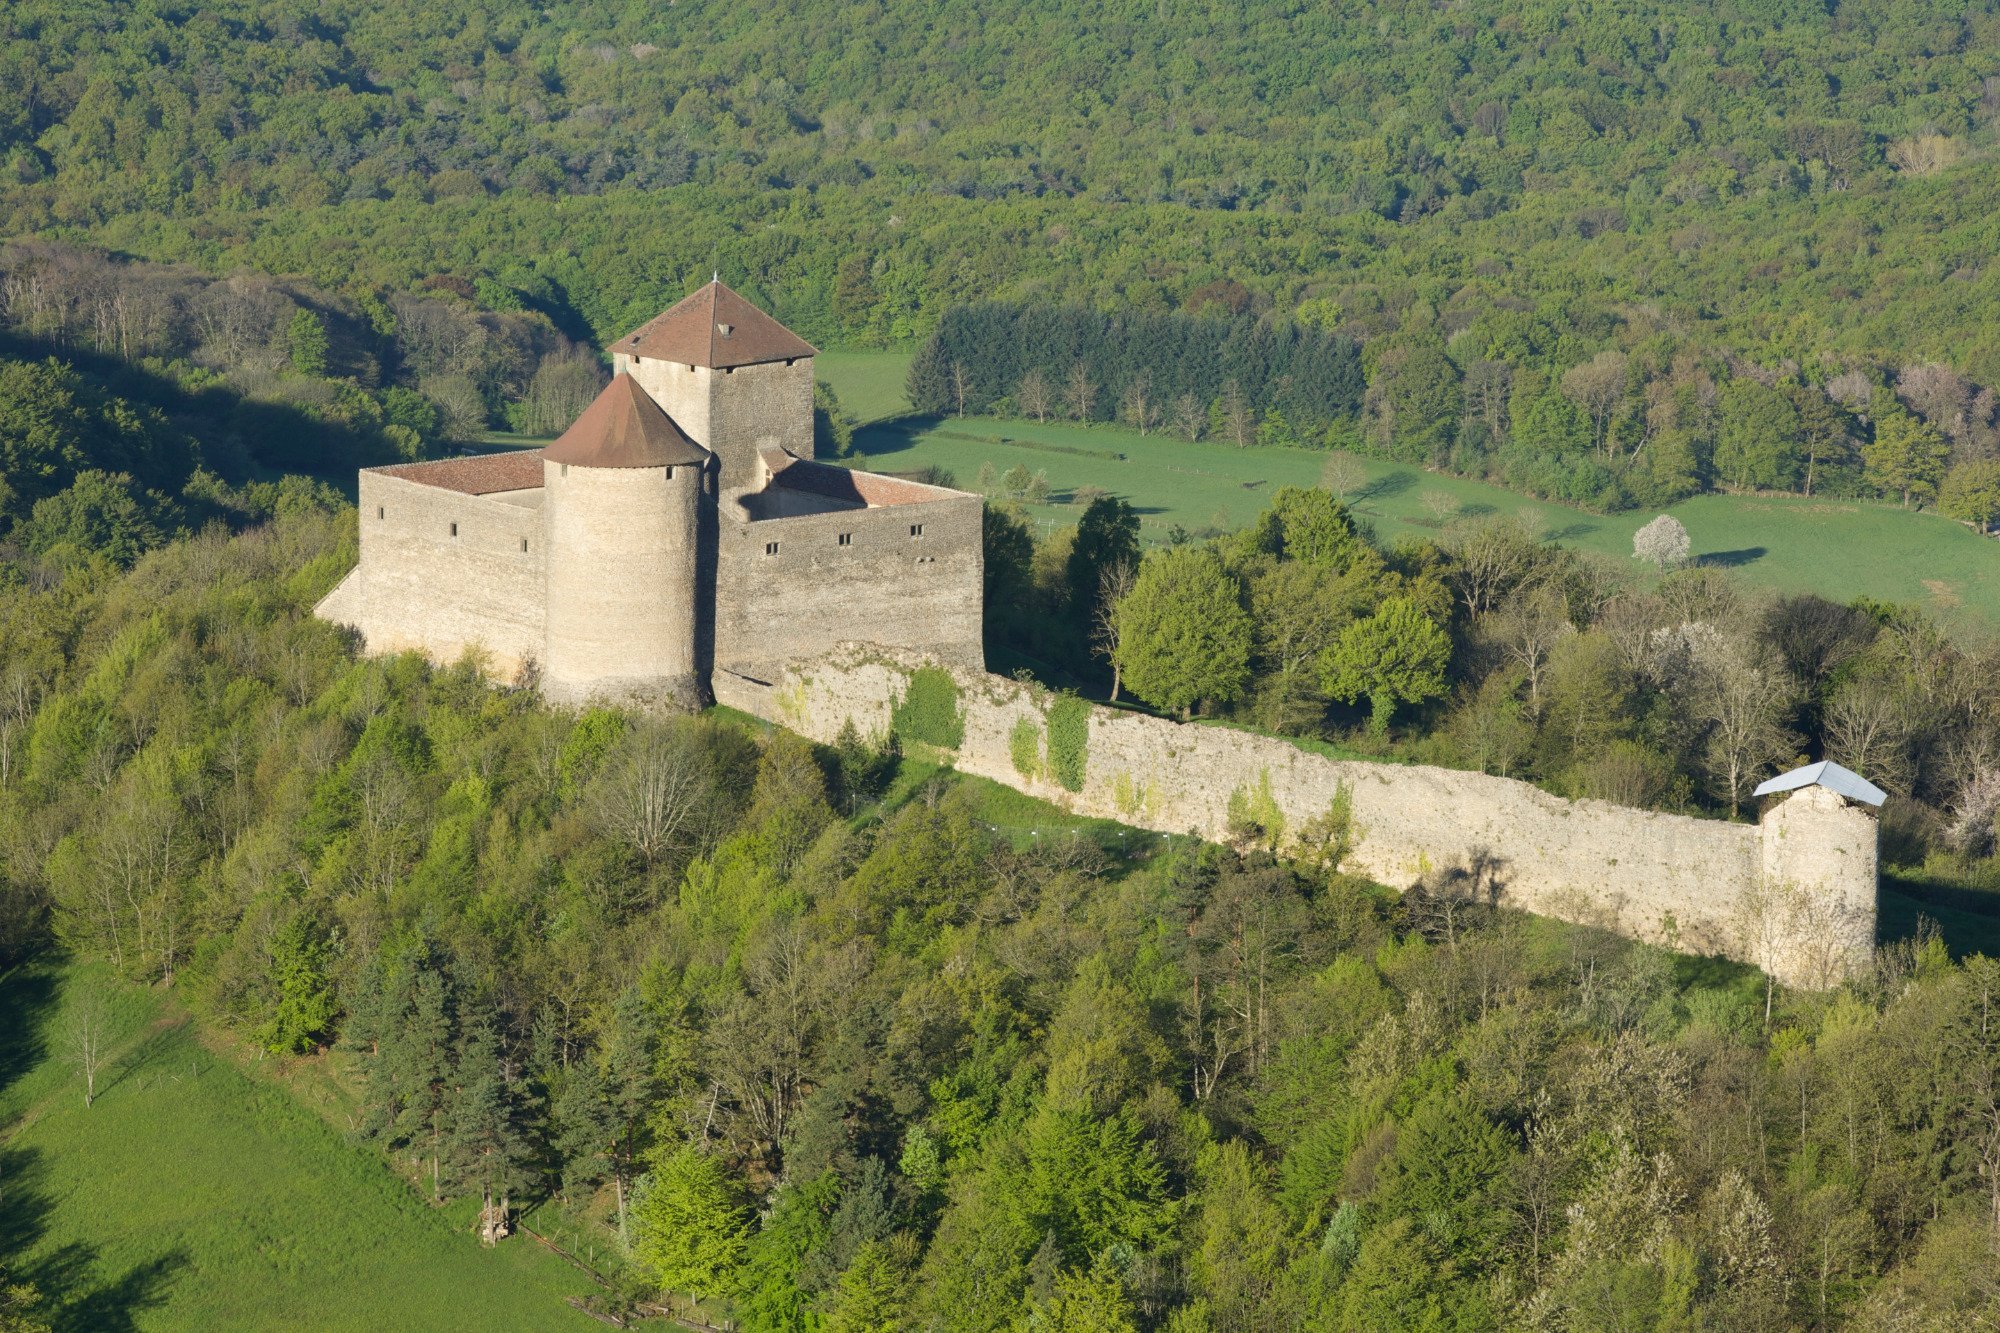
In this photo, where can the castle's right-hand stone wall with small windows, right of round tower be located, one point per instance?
(887, 585)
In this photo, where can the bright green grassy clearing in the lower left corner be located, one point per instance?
(201, 1196)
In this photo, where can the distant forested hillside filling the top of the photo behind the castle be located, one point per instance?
(1801, 181)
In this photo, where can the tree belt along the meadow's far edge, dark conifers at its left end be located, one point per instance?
(1505, 397)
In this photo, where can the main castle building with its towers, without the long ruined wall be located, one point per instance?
(677, 529)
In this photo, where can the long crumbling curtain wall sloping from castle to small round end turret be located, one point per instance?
(1793, 896)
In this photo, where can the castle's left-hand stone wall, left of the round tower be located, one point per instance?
(419, 587)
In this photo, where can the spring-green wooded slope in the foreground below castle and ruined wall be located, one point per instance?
(835, 1046)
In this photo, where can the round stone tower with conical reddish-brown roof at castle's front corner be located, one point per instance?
(621, 523)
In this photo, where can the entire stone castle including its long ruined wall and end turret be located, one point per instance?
(681, 545)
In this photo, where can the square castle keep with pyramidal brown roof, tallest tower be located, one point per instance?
(729, 375)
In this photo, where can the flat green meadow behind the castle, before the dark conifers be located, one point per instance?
(1841, 549)
